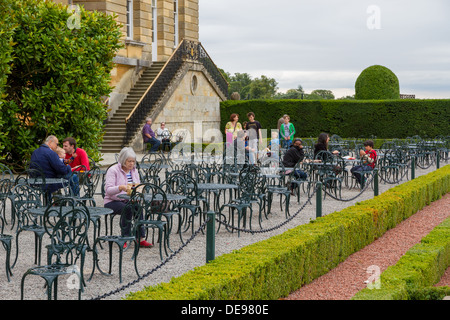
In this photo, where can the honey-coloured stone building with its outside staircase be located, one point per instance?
(162, 72)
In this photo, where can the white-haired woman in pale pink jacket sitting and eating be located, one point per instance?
(117, 179)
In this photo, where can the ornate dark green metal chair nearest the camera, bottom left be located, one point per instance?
(68, 232)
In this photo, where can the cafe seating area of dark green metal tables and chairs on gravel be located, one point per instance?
(46, 236)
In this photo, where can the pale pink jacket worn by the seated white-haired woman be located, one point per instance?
(115, 176)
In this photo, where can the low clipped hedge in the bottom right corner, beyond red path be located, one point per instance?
(420, 268)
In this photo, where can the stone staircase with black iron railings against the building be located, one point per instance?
(152, 90)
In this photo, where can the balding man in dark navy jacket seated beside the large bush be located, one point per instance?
(46, 159)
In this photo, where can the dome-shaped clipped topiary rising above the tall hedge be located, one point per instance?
(377, 82)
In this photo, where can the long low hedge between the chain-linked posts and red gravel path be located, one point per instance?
(273, 268)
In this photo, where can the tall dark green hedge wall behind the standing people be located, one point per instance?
(349, 118)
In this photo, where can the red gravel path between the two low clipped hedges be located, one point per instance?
(344, 281)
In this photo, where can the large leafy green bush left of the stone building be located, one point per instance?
(59, 77)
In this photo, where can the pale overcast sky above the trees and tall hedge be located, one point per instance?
(325, 44)
